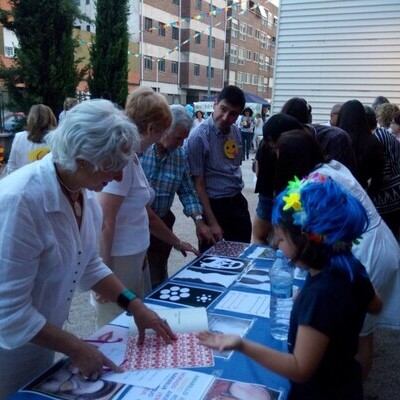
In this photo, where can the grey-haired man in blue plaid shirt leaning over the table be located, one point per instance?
(165, 166)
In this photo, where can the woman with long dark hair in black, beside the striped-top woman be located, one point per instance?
(367, 149)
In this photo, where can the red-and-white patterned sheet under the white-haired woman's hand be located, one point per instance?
(186, 352)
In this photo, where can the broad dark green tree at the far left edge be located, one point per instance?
(44, 64)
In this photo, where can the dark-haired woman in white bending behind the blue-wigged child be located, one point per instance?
(378, 250)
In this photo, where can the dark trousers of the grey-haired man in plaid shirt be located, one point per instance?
(158, 254)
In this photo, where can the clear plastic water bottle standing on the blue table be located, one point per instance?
(281, 277)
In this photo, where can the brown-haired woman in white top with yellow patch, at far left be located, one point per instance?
(29, 145)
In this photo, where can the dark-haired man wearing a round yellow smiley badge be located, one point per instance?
(214, 151)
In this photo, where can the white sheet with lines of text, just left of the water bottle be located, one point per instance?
(245, 303)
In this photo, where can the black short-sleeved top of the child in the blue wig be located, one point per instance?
(333, 305)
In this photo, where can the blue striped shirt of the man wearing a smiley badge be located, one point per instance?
(206, 155)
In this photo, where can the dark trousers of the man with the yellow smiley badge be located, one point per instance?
(232, 214)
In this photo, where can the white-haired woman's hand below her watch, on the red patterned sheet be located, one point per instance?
(148, 319)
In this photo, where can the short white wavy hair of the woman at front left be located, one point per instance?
(97, 132)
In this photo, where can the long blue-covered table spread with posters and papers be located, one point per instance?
(231, 280)
